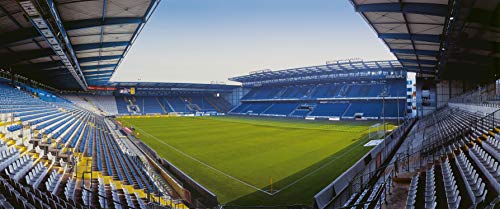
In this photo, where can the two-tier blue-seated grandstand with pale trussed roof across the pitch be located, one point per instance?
(363, 90)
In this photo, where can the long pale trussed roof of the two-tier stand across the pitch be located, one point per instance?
(339, 66)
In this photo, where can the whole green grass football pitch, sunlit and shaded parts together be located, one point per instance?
(254, 161)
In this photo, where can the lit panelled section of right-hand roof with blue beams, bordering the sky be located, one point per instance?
(412, 29)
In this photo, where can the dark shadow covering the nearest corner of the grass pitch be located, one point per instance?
(314, 178)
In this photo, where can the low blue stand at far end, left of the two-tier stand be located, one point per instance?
(168, 98)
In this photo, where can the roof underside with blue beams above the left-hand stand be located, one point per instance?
(69, 44)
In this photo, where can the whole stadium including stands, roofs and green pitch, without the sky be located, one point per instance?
(417, 131)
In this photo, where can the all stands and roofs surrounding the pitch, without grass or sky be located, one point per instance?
(61, 148)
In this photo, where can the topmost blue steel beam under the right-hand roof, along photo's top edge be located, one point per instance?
(416, 8)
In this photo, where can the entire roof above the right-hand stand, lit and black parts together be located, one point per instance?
(439, 37)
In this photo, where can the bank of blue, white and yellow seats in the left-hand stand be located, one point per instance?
(58, 133)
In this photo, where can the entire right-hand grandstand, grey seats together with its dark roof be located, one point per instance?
(449, 159)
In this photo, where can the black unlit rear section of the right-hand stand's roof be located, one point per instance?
(473, 42)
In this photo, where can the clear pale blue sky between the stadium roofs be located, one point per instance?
(211, 40)
